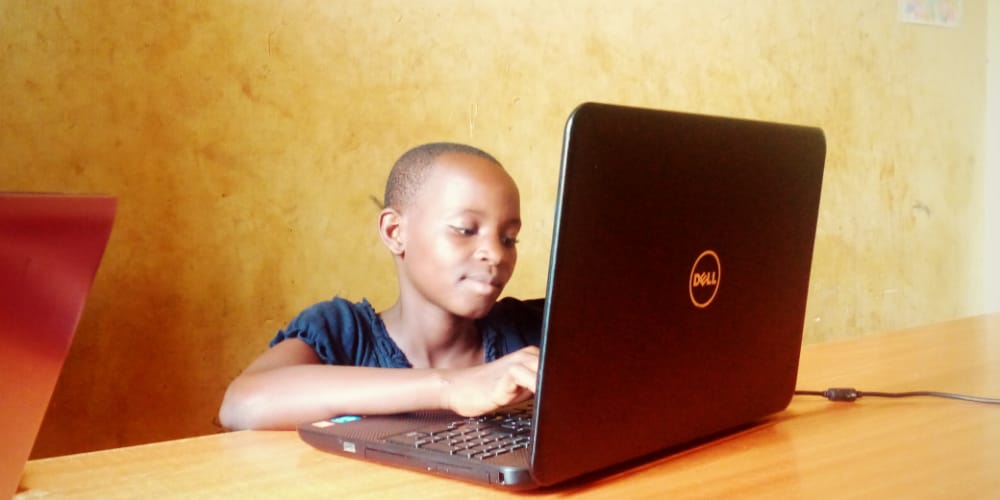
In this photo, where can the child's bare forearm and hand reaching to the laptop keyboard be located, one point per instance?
(287, 385)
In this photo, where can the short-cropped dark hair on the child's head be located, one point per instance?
(410, 170)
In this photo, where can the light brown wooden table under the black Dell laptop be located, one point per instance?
(874, 448)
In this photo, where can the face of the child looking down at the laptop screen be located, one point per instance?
(460, 235)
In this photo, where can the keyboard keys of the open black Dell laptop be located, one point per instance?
(477, 437)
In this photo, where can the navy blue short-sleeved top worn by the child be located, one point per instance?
(352, 334)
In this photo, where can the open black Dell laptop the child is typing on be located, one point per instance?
(674, 310)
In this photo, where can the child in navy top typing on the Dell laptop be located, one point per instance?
(451, 219)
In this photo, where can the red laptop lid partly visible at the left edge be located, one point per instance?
(50, 248)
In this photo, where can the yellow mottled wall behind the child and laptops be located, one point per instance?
(244, 140)
